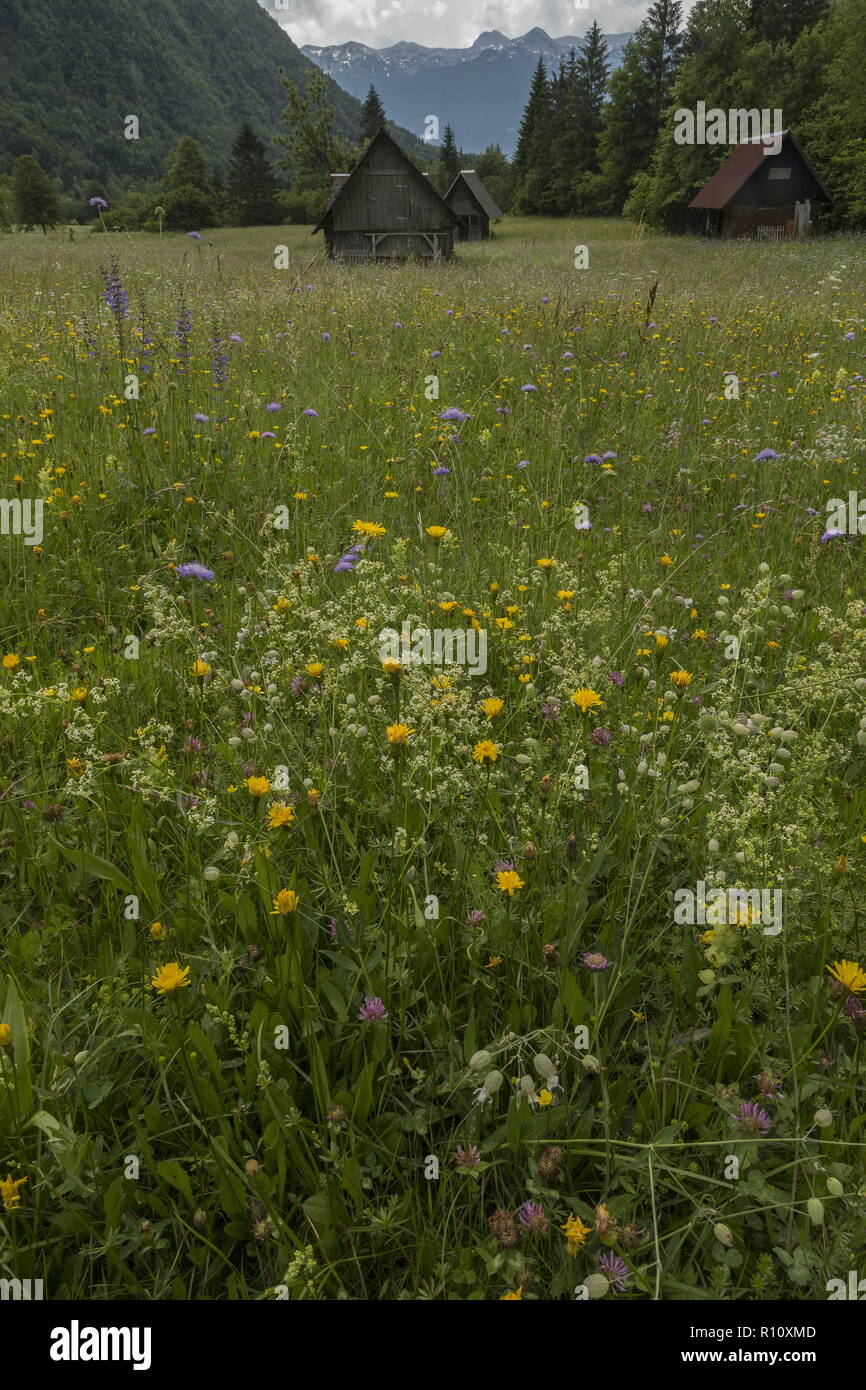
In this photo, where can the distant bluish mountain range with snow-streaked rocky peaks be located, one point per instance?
(480, 91)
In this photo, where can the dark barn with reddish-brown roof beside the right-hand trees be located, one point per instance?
(760, 194)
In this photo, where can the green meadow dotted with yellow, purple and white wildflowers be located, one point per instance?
(333, 978)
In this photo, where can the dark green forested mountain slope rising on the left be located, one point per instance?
(72, 76)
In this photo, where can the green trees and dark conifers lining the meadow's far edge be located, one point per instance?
(591, 142)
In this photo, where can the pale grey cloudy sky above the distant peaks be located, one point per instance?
(448, 24)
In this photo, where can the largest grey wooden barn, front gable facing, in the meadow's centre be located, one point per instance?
(386, 209)
